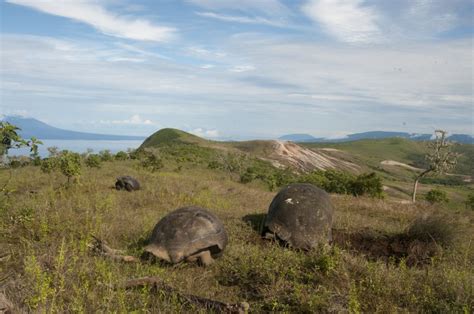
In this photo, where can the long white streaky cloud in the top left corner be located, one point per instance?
(109, 23)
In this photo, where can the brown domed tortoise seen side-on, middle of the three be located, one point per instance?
(188, 233)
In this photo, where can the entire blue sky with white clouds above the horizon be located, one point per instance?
(239, 69)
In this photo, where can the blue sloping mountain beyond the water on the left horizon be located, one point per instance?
(33, 127)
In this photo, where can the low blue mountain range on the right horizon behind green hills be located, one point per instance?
(460, 138)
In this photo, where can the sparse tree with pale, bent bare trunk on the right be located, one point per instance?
(440, 158)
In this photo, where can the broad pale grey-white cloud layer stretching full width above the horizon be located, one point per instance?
(323, 87)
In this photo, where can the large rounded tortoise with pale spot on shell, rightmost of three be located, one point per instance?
(301, 215)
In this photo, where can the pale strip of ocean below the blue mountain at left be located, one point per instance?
(79, 146)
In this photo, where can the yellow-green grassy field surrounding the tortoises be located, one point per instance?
(46, 265)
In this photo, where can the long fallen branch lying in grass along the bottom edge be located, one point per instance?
(208, 304)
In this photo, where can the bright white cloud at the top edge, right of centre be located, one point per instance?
(347, 20)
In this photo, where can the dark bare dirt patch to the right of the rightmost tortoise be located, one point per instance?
(378, 246)
